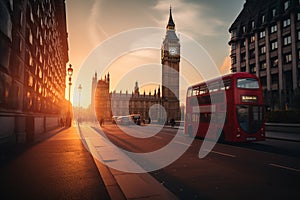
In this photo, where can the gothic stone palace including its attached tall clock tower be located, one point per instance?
(108, 104)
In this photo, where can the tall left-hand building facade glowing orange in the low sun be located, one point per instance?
(33, 57)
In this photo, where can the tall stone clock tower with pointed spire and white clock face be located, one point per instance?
(170, 58)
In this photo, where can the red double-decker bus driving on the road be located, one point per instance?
(231, 106)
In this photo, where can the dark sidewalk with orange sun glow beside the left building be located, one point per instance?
(56, 168)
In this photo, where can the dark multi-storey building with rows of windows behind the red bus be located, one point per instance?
(265, 40)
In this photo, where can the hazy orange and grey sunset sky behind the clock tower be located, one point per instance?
(92, 24)
